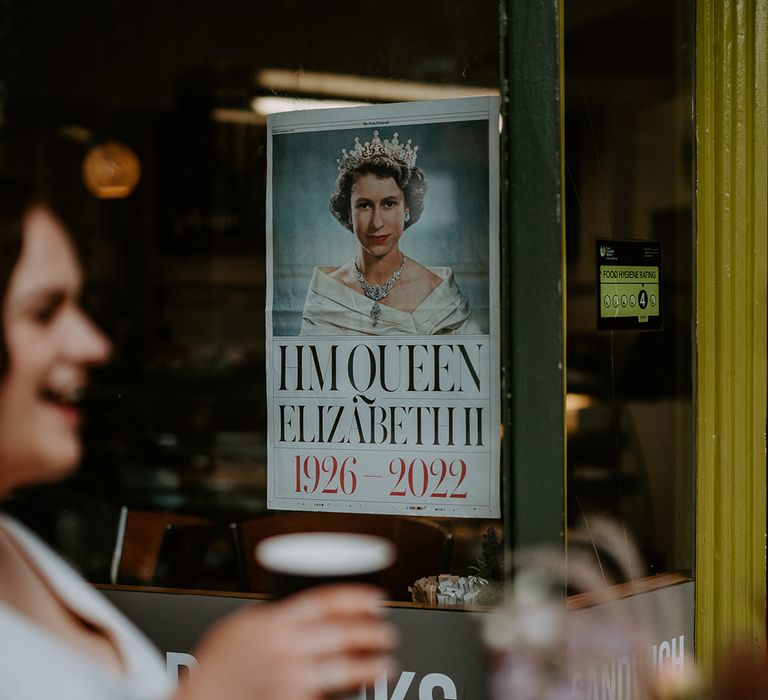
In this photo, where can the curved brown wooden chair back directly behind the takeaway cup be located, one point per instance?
(423, 546)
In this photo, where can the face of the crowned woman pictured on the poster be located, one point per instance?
(378, 213)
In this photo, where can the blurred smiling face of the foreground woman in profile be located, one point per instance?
(51, 344)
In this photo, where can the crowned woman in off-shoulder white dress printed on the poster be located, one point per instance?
(379, 197)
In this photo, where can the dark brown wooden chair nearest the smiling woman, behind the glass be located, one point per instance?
(159, 548)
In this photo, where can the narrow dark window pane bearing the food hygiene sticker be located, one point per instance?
(629, 150)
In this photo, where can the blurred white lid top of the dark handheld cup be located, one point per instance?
(325, 554)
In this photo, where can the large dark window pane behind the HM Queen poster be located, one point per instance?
(176, 266)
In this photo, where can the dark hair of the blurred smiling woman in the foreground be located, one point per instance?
(16, 200)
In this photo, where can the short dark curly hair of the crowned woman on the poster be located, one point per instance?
(410, 180)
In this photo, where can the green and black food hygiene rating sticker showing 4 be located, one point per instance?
(629, 285)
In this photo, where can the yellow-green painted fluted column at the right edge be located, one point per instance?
(732, 225)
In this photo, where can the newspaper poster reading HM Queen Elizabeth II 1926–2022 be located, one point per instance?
(383, 309)
